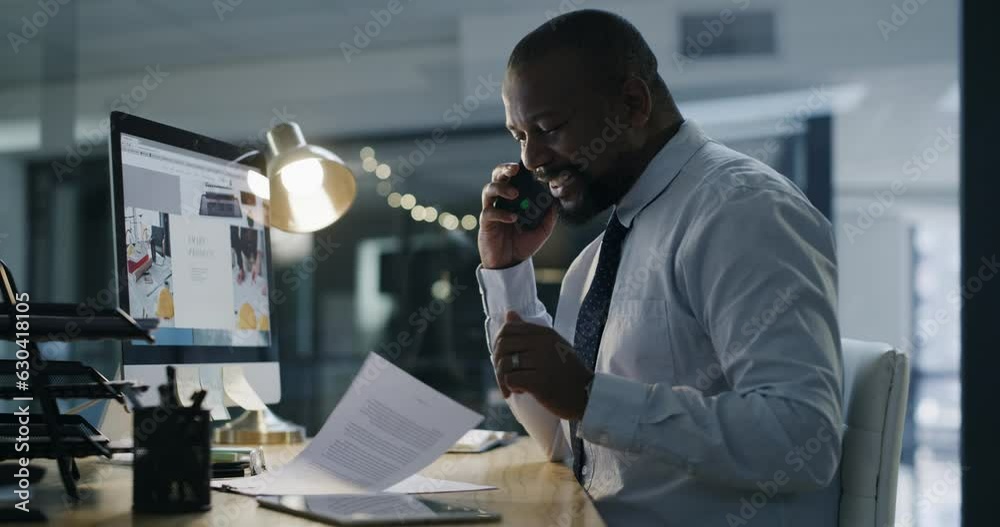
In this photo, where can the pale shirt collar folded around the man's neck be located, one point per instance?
(661, 171)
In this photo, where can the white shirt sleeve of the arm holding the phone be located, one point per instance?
(514, 289)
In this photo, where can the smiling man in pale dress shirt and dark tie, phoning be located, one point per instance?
(694, 362)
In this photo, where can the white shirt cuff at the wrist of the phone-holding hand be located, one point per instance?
(512, 288)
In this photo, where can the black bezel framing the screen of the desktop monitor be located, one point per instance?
(151, 354)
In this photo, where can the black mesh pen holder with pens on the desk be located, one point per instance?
(173, 454)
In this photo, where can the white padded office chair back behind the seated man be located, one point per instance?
(876, 383)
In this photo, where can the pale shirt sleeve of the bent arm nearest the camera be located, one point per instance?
(759, 273)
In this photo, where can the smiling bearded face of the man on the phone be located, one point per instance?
(570, 130)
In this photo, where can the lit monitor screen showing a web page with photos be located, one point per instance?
(195, 246)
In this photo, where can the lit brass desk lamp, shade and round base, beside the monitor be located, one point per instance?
(309, 188)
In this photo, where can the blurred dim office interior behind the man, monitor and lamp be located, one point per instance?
(819, 90)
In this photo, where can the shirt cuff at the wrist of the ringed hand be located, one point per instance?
(611, 418)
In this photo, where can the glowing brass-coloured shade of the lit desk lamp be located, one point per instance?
(310, 187)
